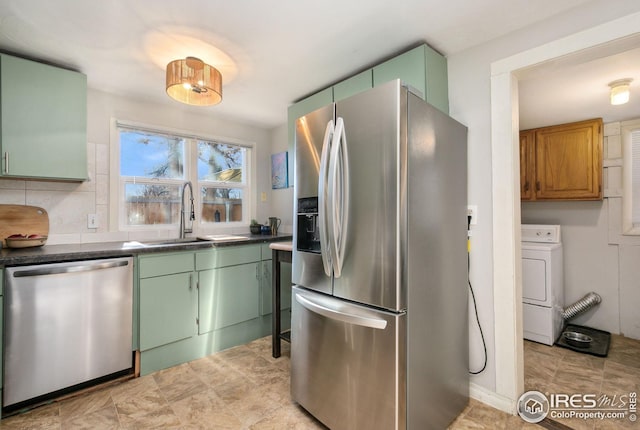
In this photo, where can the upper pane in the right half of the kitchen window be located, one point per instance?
(220, 162)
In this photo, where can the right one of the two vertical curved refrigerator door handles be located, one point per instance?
(339, 191)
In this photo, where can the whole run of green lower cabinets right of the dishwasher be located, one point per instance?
(222, 310)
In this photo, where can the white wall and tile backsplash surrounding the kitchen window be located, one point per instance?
(68, 204)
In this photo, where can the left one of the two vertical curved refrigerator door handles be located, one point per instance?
(323, 198)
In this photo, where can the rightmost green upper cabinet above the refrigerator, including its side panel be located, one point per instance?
(422, 69)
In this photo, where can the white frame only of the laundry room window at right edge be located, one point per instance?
(628, 226)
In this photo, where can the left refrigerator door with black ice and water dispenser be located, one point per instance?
(307, 263)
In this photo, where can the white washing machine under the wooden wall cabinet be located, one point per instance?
(542, 283)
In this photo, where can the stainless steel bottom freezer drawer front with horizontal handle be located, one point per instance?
(348, 363)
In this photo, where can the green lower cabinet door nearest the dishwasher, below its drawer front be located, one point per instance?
(167, 309)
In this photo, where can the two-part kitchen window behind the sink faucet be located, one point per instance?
(154, 165)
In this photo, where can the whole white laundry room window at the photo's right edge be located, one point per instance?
(630, 133)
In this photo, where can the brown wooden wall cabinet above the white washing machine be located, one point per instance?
(562, 162)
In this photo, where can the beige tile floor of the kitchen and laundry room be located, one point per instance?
(245, 388)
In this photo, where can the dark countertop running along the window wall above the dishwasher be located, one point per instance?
(86, 251)
